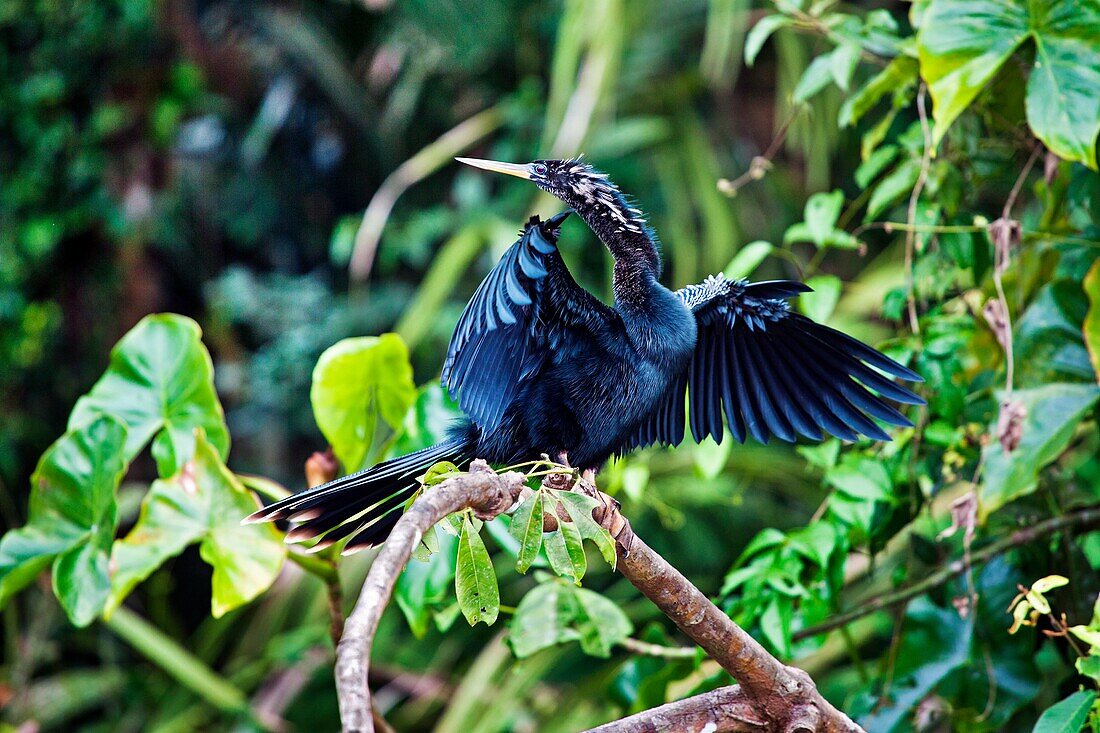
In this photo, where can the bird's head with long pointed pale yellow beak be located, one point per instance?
(589, 192)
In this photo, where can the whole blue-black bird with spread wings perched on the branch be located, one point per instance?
(541, 366)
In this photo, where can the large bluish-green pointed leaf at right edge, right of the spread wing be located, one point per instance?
(1054, 412)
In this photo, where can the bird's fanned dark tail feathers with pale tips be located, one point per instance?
(365, 506)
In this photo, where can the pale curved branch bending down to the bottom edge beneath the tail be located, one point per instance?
(482, 490)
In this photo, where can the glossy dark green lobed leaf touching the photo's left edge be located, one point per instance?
(73, 519)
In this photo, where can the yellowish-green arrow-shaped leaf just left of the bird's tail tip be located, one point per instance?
(203, 504)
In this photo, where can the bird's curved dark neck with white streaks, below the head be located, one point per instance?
(624, 233)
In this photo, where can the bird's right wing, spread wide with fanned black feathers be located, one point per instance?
(772, 371)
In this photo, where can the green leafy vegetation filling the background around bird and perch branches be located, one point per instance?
(929, 168)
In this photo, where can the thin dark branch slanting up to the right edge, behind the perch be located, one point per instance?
(1086, 518)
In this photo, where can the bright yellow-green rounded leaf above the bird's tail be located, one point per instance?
(358, 385)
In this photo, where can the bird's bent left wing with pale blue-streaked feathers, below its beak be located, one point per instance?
(526, 308)
